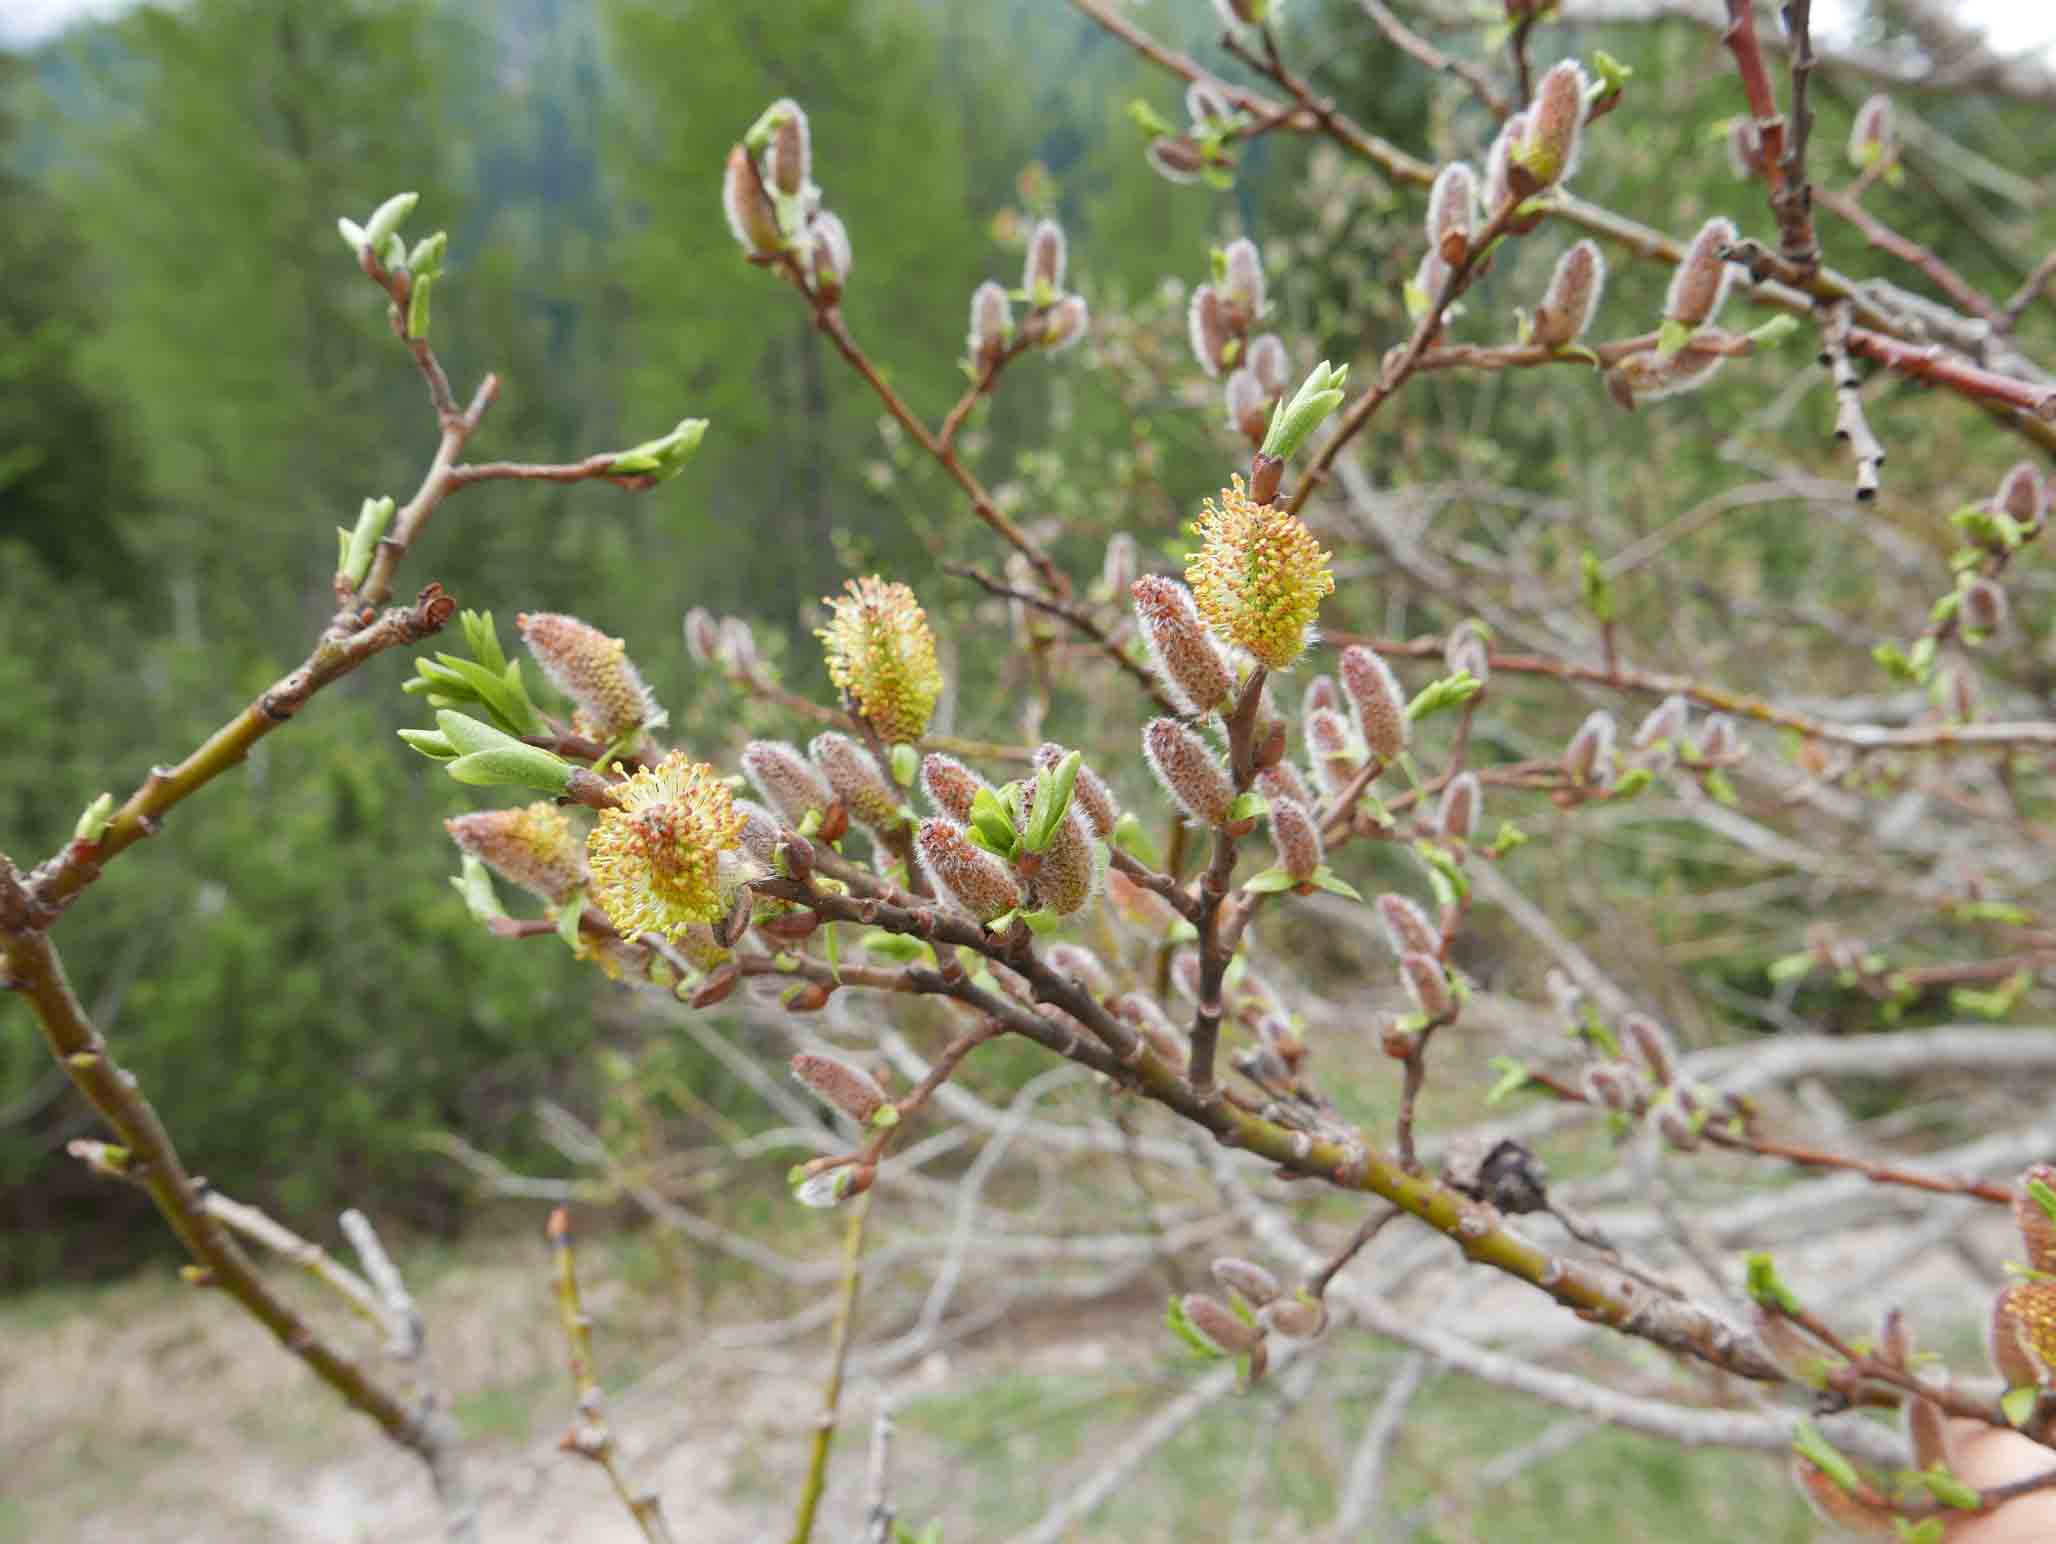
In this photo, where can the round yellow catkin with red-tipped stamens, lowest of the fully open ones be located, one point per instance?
(661, 860)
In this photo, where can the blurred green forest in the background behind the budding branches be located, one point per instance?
(196, 388)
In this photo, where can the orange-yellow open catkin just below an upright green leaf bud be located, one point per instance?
(1259, 577)
